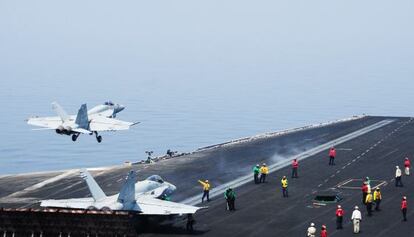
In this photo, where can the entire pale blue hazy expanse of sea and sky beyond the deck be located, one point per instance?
(195, 74)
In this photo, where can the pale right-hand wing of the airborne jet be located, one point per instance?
(100, 123)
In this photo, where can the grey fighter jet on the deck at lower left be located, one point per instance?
(146, 197)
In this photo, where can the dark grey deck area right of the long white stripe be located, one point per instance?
(261, 211)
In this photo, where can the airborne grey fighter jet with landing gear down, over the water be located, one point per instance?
(98, 119)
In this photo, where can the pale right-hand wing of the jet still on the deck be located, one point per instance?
(154, 206)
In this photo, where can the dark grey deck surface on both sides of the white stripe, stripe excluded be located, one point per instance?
(261, 209)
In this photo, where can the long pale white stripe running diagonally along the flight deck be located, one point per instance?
(219, 190)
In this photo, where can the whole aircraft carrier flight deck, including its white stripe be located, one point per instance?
(366, 146)
